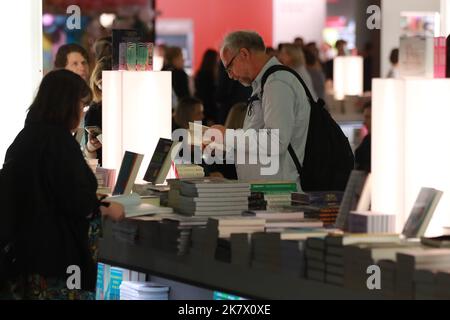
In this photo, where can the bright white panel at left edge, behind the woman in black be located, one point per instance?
(21, 72)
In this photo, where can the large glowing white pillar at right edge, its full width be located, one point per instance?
(411, 146)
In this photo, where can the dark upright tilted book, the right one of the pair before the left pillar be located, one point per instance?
(161, 161)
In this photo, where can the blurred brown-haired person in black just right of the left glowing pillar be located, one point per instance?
(174, 62)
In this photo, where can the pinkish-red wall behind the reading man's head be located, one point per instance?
(214, 18)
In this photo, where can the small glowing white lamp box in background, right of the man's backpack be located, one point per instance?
(347, 76)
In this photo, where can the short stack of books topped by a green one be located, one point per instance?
(276, 193)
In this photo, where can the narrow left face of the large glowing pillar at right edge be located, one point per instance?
(388, 137)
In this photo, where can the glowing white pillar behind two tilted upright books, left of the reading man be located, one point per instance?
(136, 112)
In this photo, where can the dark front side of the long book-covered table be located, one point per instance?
(211, 274)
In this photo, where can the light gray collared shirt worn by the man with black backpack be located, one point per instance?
(285, 107)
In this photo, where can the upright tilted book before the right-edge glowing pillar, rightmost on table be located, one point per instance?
(421, 213)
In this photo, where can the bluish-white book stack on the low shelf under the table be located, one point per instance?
(133, 290)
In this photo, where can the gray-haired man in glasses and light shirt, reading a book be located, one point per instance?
(284, 106)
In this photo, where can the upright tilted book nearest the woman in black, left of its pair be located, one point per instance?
(129, 169)
